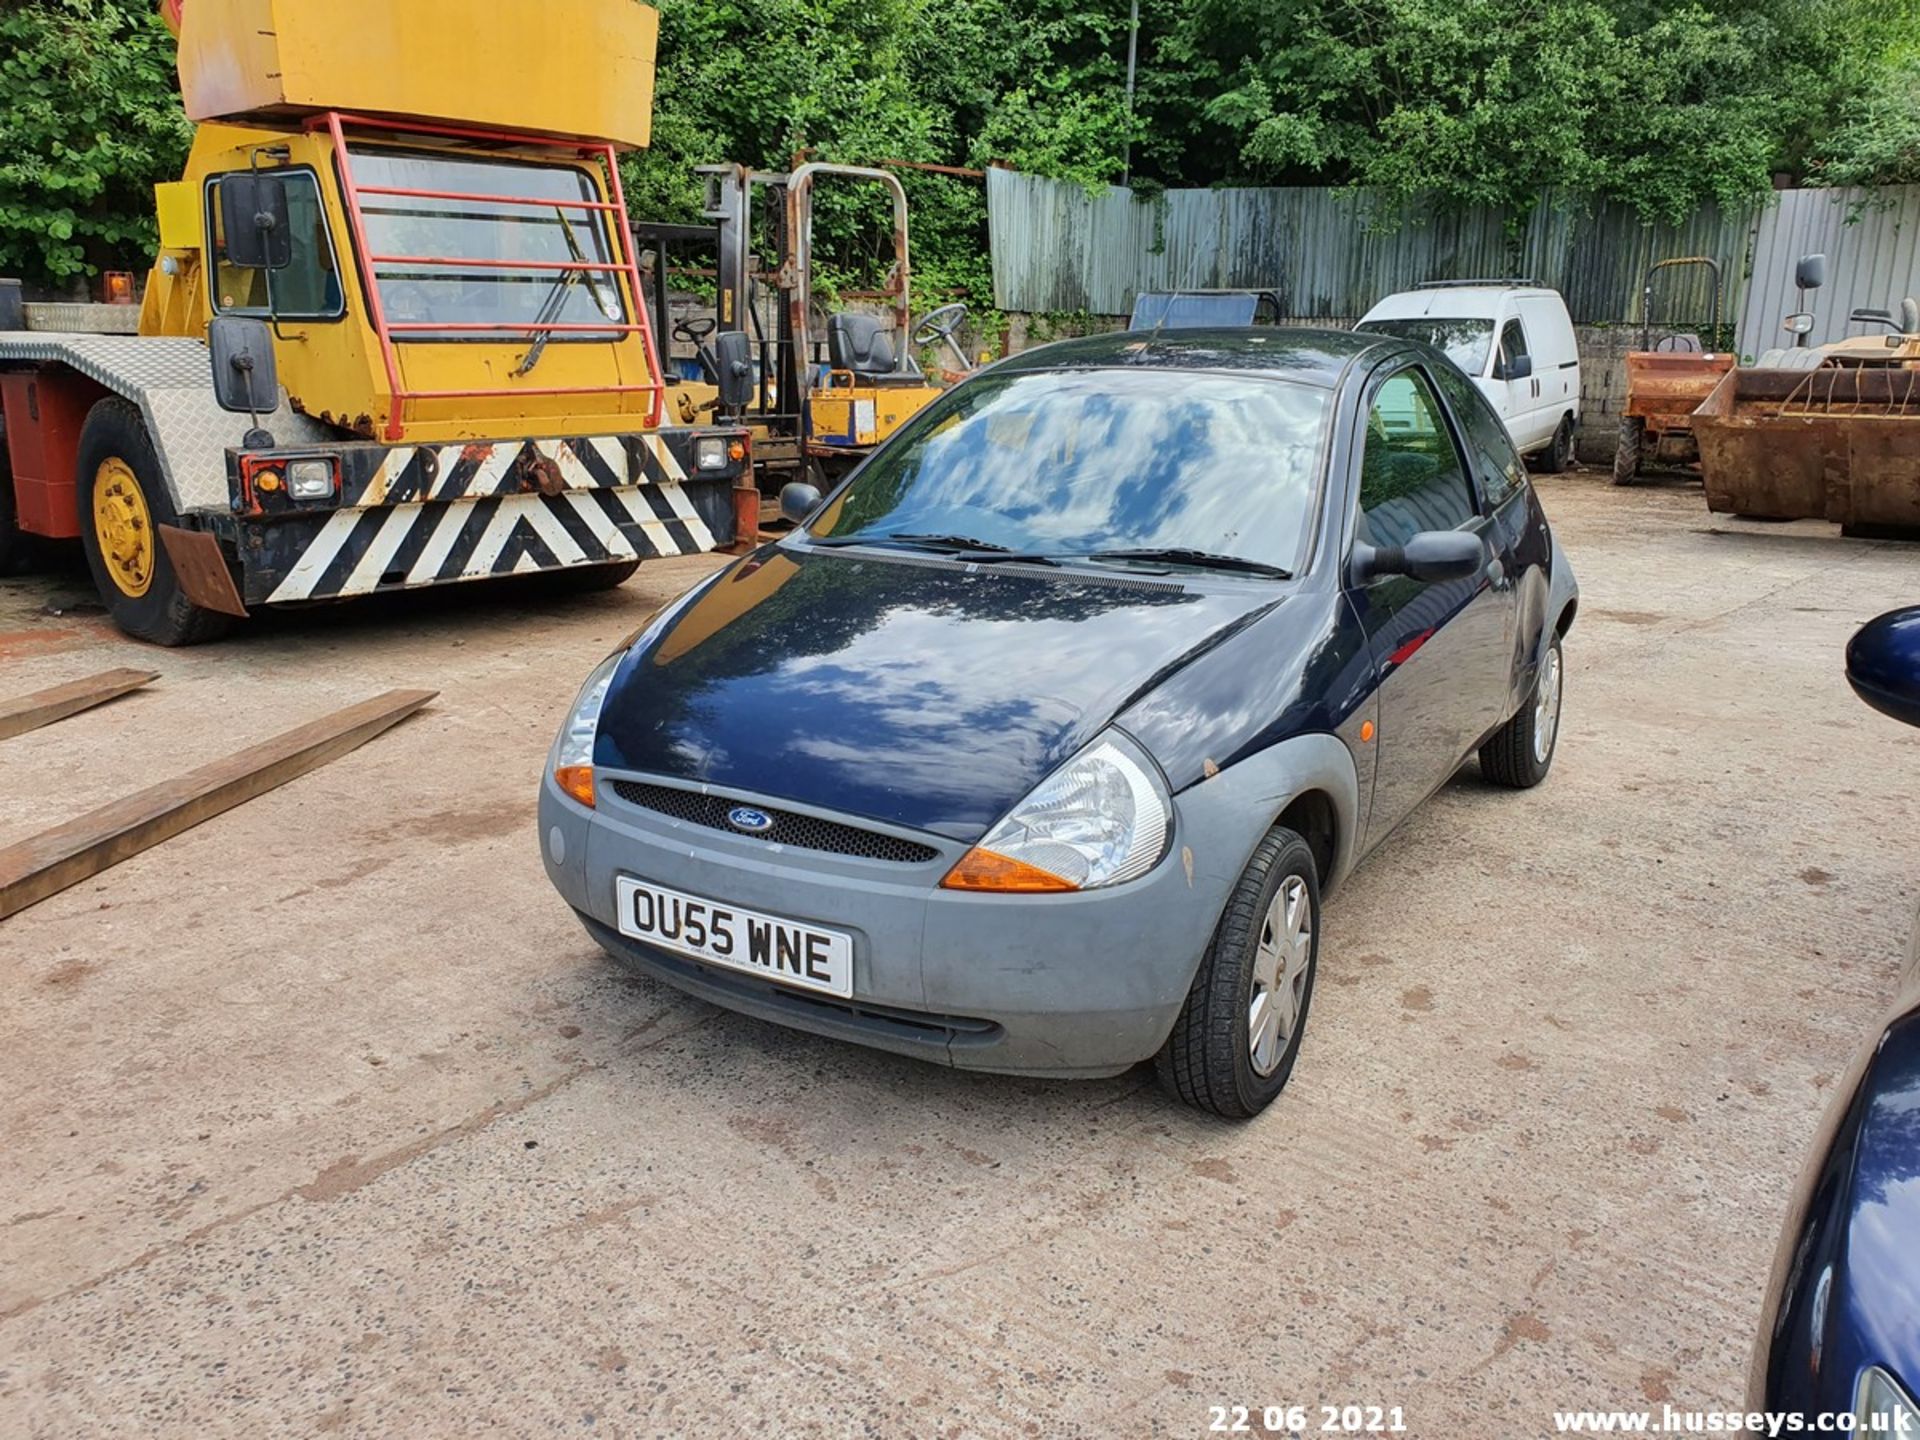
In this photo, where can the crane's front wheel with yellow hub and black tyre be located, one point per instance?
(124, 502)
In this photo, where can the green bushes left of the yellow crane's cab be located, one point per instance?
(91, 122)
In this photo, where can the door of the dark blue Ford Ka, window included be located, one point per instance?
(1437, 648)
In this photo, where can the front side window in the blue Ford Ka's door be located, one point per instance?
(1410, 473)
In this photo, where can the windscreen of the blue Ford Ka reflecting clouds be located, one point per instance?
(1080, 462)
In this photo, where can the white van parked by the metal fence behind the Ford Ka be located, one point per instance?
(1514, 339)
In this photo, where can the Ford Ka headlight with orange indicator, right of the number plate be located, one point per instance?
(1097, 821)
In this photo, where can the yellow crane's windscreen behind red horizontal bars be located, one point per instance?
(527, 241)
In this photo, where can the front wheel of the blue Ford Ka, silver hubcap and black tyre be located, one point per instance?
(1222, 1055)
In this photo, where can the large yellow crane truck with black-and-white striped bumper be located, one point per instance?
(408, 212)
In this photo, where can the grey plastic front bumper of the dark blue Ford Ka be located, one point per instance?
(1084, 984)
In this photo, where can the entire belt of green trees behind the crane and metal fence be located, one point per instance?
(1662, 105)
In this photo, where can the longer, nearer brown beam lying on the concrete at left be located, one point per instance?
(66, 855)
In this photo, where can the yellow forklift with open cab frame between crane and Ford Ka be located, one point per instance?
(827, 389)
